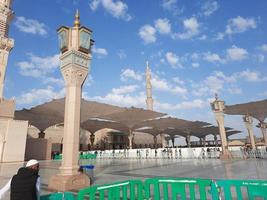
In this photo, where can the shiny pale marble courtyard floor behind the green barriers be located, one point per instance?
(111, 170)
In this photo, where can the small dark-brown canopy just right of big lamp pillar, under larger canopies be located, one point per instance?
(93, 125)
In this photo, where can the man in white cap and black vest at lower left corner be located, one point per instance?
(25, 184)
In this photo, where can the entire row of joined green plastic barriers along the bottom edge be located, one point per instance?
(171, 188)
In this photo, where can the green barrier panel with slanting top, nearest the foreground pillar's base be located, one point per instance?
(132, 189)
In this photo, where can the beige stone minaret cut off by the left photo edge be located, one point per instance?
(6, 44)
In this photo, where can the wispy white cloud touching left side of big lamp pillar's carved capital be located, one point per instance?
(38, 66)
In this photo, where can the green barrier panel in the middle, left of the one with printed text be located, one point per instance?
(172, 188)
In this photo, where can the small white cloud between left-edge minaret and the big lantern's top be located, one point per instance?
(30, 26)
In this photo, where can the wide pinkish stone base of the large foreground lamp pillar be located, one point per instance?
(68, 182)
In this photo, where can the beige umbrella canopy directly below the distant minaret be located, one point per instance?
(130, 117)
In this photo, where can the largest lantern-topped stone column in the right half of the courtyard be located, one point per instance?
(218, 109)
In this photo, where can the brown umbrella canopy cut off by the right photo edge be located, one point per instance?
(257, 109)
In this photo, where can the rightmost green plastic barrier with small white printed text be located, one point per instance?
(239, 189)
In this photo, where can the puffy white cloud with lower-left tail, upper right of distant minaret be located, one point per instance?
(191, 27)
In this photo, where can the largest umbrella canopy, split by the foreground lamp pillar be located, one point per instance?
(51, 113)
